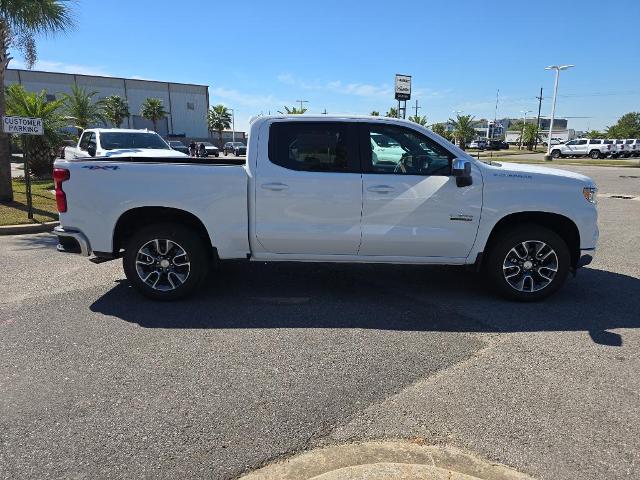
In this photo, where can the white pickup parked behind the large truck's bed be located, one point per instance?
(112, 142)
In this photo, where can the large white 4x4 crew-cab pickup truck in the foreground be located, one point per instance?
(310, 192)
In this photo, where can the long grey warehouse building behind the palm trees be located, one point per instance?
(186, 104)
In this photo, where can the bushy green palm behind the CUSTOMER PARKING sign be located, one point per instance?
(39, 150)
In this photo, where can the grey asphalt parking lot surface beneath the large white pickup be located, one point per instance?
(271, 359)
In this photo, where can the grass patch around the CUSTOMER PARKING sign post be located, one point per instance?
(44, 204)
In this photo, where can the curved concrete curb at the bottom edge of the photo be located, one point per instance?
(385, 460)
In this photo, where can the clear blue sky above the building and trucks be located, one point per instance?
(257, 56)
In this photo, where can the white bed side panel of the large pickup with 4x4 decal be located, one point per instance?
(109, 187)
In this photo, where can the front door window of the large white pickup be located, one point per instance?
(404, 151)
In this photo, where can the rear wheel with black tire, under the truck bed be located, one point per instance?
(187, 241)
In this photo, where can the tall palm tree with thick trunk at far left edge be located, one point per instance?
(20, 22)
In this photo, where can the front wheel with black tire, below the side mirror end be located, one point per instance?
(531, 235)
